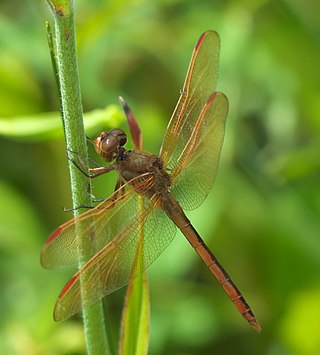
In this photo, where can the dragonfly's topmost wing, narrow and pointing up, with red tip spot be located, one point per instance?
(199, 84)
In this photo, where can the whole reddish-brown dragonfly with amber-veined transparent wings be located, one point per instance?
(151, 194)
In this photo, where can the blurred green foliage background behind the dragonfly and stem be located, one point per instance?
(261, 219)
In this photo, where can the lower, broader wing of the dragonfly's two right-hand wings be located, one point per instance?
(196, 168)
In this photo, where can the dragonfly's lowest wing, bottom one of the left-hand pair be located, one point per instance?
(113, 266)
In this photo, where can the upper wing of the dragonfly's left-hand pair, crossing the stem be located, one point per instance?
(94, 229)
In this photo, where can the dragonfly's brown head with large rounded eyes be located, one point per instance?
(107, 144)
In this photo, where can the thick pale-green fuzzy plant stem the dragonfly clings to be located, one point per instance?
(65, 46)
